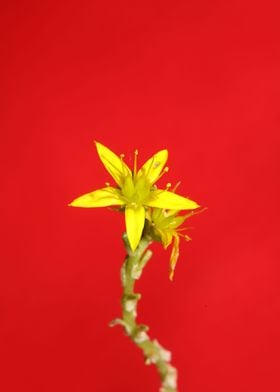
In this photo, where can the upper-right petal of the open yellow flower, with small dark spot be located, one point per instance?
(152, 168)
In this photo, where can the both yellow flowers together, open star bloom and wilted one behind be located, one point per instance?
(136, 193)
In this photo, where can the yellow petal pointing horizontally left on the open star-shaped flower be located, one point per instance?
(100, 198)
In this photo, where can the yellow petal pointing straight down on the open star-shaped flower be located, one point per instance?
(134, 220)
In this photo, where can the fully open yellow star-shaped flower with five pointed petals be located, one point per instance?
(135, 191)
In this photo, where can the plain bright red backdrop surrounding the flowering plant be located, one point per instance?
(199, 78)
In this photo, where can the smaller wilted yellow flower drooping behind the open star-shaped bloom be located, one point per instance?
(165, 226)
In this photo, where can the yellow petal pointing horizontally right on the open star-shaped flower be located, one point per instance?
(169, 200)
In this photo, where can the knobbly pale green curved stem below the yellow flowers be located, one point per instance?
(154, 353)
